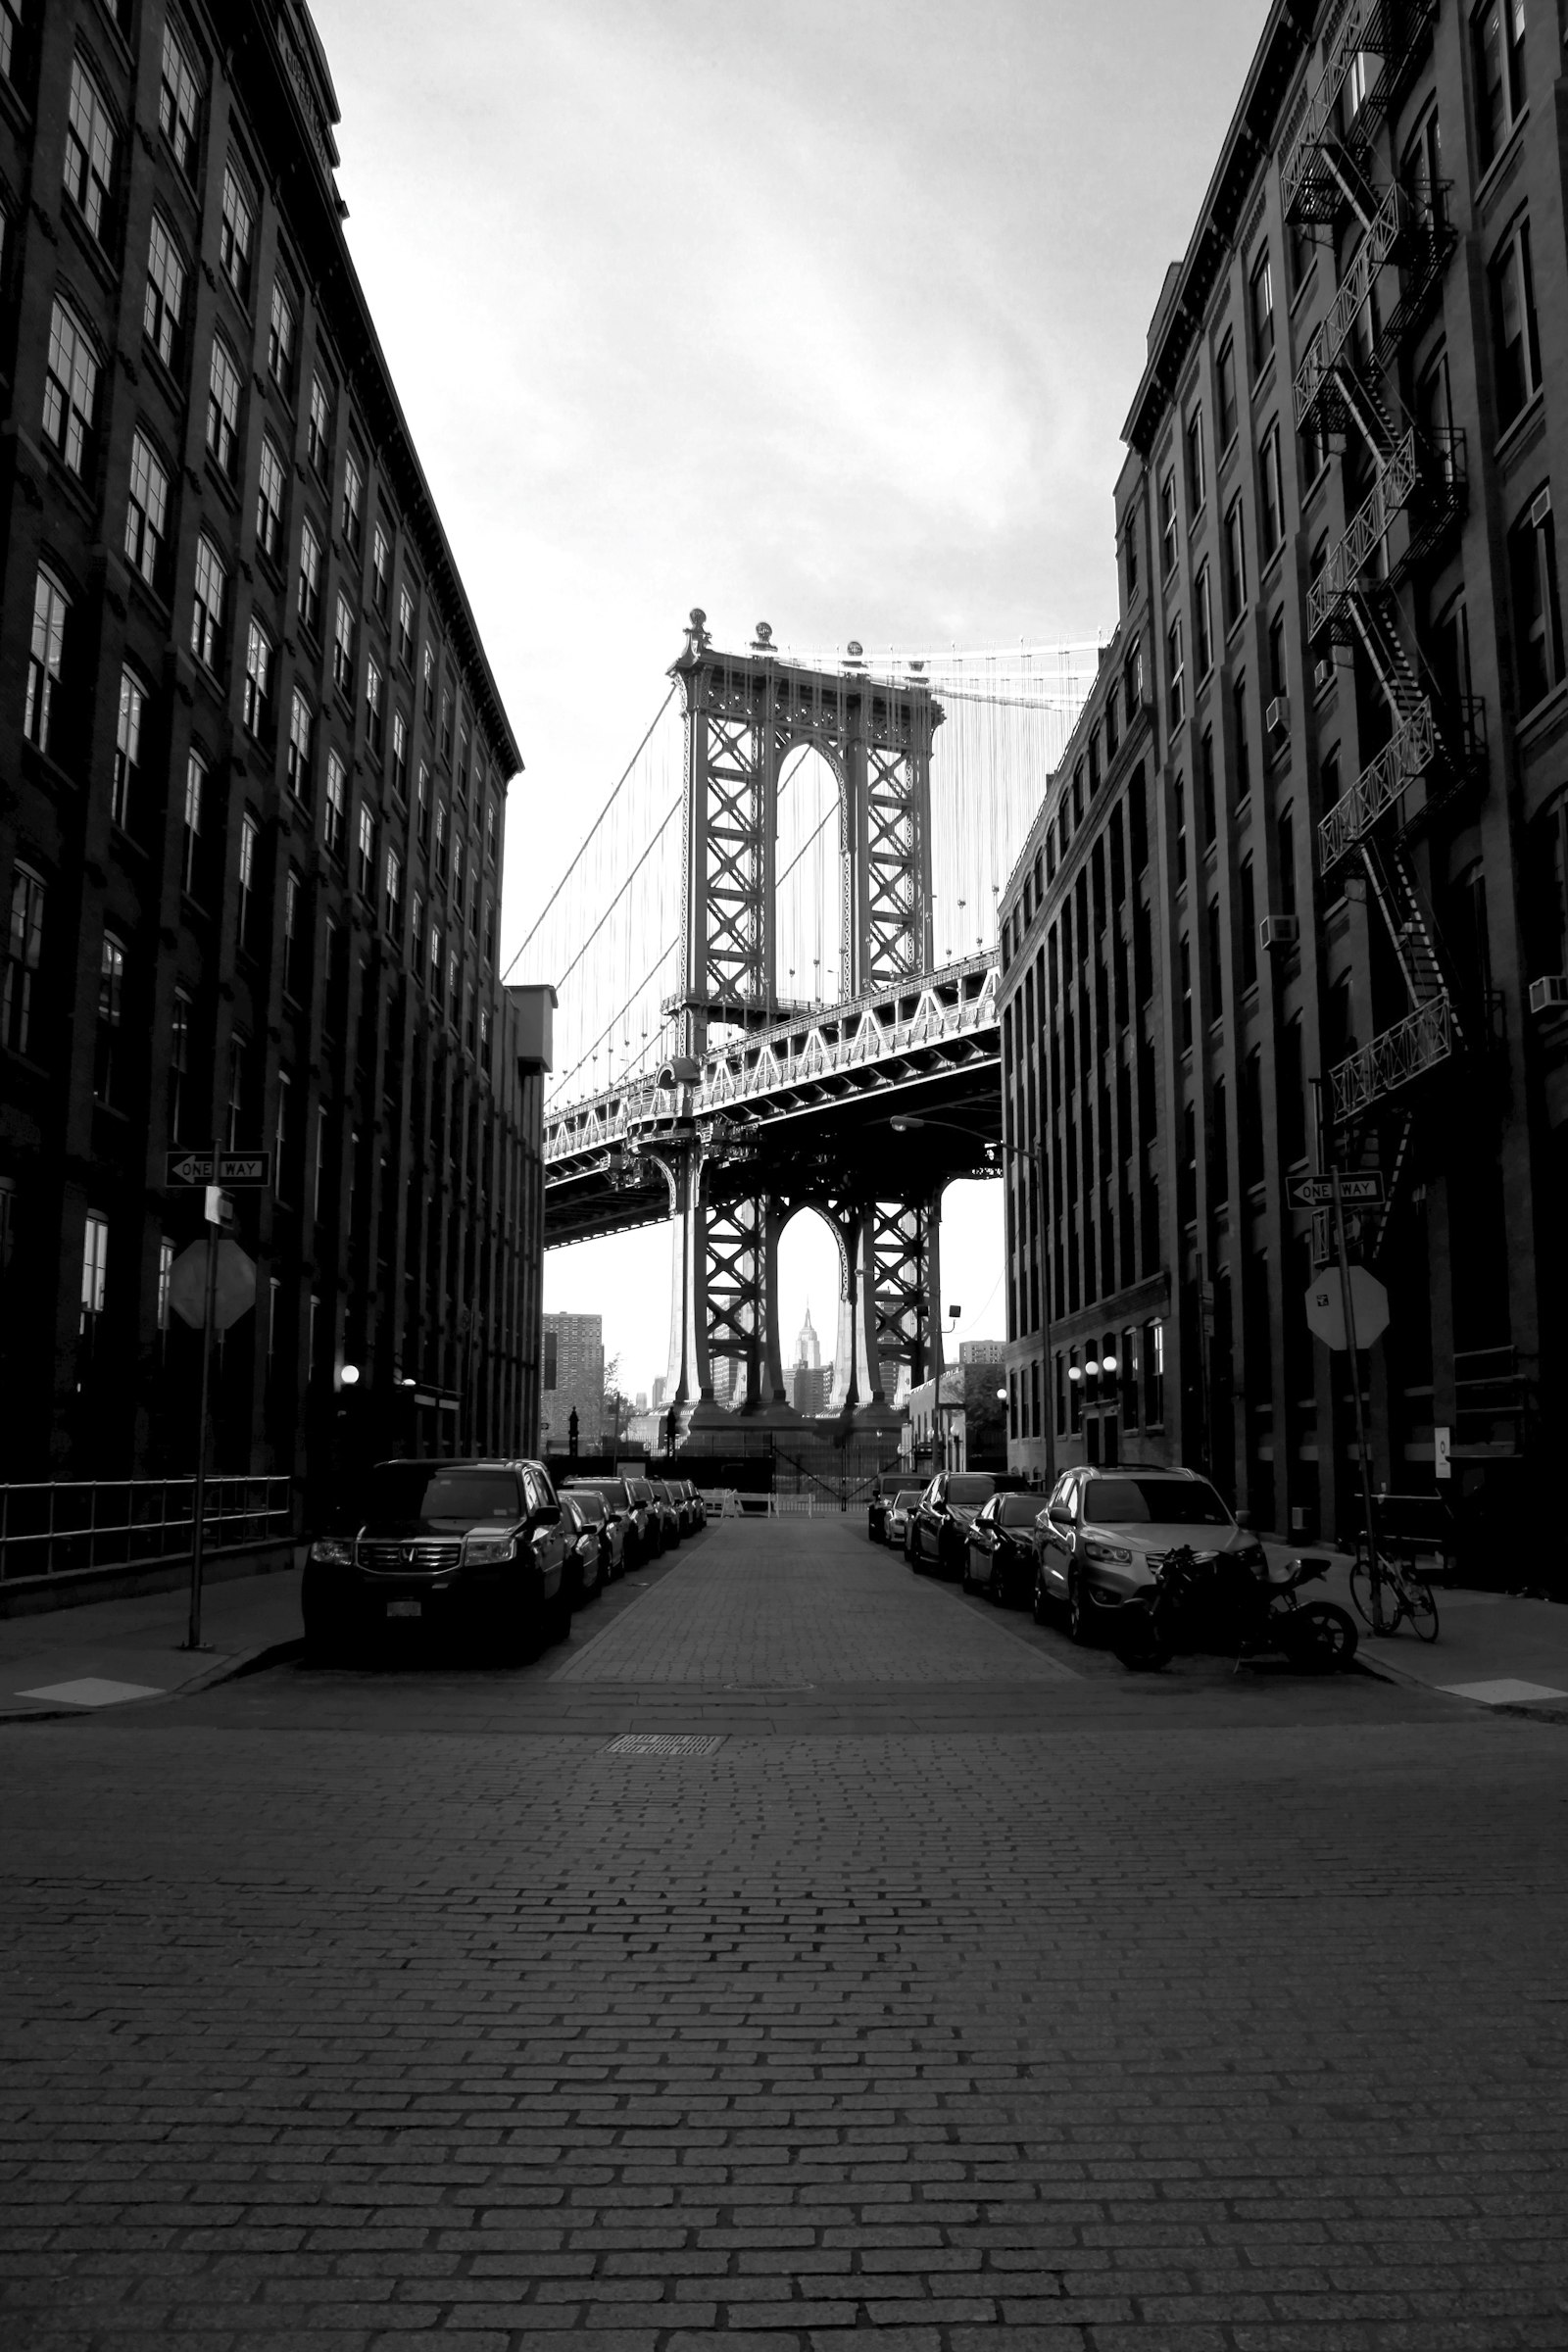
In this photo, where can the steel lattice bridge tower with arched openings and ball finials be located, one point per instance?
(744, 716)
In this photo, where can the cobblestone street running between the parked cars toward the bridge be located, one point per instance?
(965, 1986)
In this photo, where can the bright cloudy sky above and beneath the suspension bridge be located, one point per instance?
(824, 314)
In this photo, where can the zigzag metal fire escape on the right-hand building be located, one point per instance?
(1348, 392)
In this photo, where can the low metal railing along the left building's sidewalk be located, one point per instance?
(72, 1528)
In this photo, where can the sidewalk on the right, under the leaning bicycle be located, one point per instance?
(1492, 1650)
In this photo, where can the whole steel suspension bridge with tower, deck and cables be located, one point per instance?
(777, 940)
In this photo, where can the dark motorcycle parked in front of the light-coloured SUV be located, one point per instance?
(1209, 1601)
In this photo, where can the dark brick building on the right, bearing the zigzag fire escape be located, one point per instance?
(1322, 878)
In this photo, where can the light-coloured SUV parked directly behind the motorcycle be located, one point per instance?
(1104, 1532)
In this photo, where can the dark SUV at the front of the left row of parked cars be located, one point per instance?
(429, 1546)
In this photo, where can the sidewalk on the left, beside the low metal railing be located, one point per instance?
(114, 1652)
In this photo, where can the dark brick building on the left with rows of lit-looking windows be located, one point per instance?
(253, 791)
